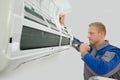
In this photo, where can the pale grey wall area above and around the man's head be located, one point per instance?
(87, 11)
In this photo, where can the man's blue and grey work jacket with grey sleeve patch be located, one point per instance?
(103, 60)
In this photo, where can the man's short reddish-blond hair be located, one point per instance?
(100, 26)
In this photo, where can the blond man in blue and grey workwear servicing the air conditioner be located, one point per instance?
(100, 58)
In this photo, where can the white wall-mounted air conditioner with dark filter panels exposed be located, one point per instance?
(26, 33)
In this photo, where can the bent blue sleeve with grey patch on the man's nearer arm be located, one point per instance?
(101, 65)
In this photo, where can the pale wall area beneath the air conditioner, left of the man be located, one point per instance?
(66, 65)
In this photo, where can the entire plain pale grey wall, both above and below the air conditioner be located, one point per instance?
(67, 65)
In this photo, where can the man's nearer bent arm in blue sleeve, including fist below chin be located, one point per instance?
(103, 65)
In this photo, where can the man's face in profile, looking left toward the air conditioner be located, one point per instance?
(93, 35)
